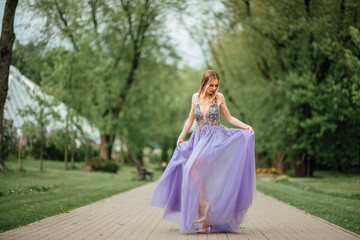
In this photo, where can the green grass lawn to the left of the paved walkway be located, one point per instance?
(31, 195)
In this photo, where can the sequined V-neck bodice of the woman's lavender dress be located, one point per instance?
(211, 117)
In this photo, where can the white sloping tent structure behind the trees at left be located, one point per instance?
(20, 94)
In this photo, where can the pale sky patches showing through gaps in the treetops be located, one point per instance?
(188, 50)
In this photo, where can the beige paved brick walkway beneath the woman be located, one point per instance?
(129, 216)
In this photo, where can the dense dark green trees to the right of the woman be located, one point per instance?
(295, 66)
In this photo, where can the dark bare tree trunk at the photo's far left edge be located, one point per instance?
(6, 43)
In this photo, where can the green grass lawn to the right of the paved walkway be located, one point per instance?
(332, 196)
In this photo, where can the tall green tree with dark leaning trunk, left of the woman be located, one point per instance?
(109, 42)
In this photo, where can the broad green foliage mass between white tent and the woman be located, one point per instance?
(115, 69)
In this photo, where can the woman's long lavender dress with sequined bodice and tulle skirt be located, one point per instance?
(216, 164)
